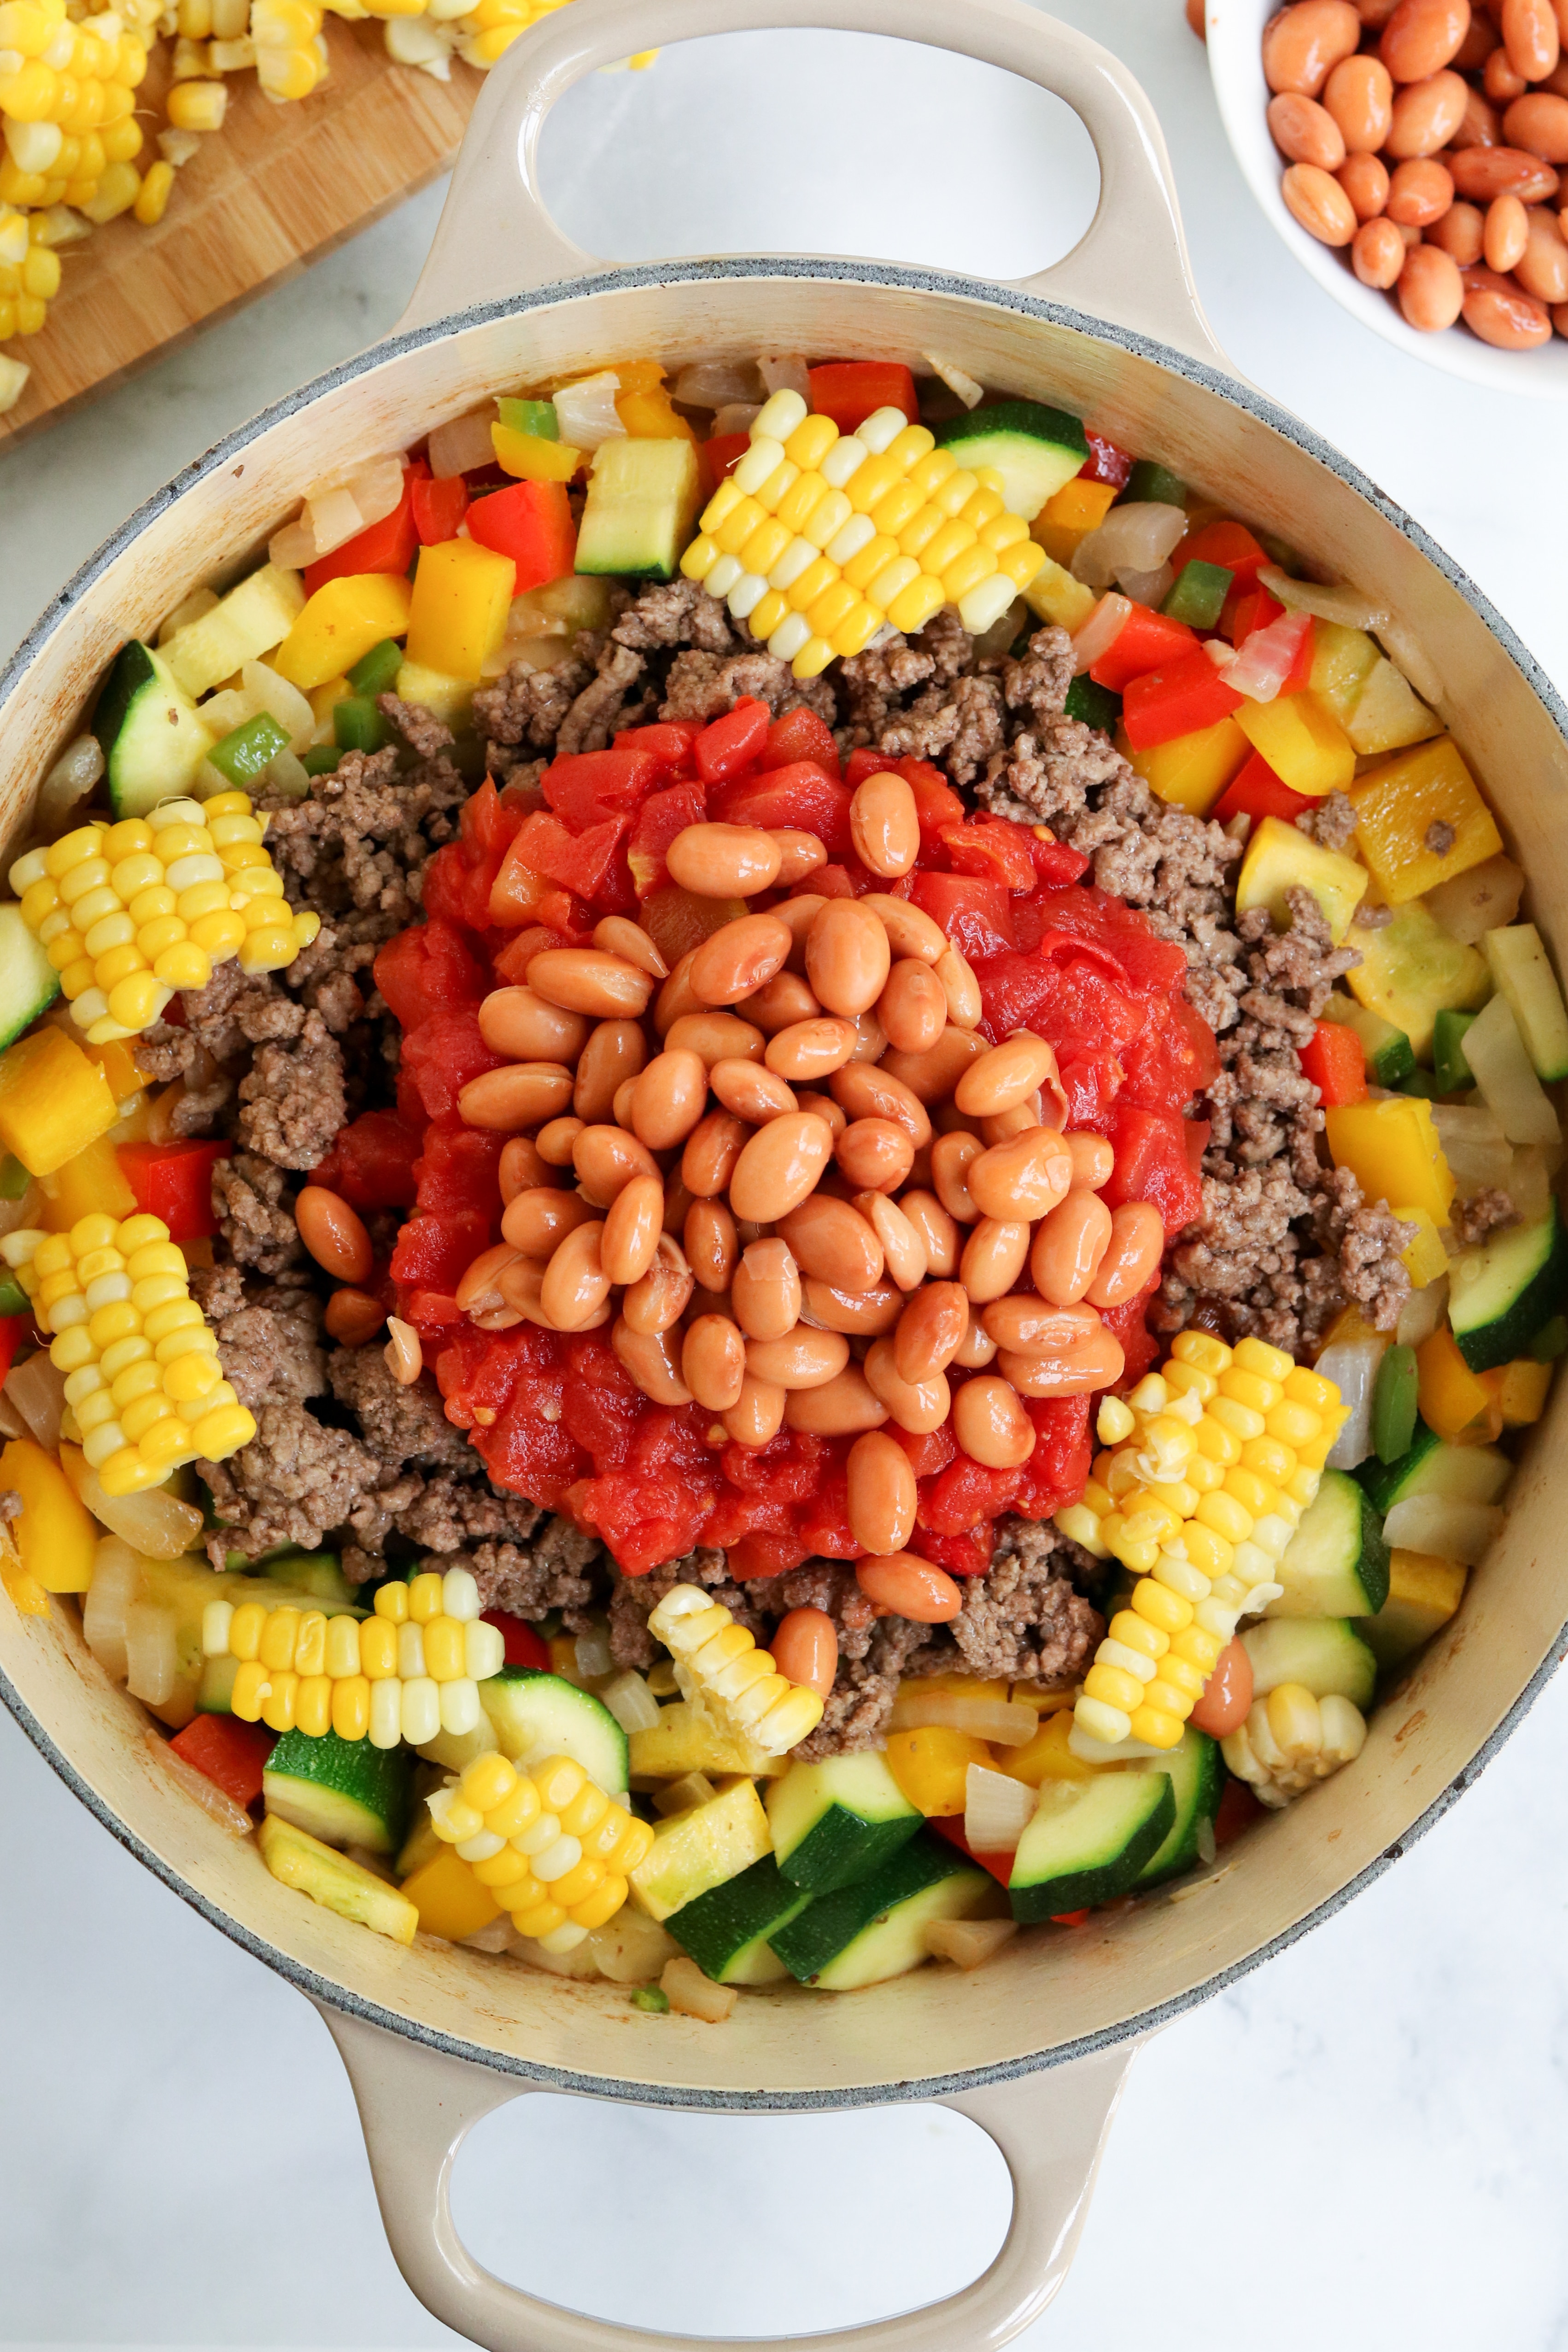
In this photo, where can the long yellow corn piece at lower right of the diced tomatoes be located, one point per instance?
(1212, 1469)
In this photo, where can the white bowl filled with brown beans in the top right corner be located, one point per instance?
(1386, 142)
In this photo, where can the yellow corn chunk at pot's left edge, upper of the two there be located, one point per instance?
(128, 914)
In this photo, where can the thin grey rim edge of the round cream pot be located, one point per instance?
(913, 281)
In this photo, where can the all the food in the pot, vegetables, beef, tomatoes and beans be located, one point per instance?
(779, 1182)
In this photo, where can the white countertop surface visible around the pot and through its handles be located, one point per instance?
(1367, 2139)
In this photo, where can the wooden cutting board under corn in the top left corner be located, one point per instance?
(269, 194)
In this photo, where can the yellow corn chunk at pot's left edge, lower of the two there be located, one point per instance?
(142, 1365)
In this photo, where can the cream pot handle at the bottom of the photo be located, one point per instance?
(417, 2109)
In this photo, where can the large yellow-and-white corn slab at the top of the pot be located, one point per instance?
(822, 537)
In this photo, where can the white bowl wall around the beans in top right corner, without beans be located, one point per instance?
(1235, 65)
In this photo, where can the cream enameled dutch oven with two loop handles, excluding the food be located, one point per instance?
(1036, 2045)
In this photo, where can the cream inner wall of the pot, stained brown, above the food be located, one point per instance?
(1050, 1991)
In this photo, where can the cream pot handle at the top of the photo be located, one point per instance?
(497, 236)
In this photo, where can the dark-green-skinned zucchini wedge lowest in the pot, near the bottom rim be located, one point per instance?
(878, 1927)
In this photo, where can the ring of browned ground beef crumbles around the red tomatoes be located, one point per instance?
(279, 1064)
